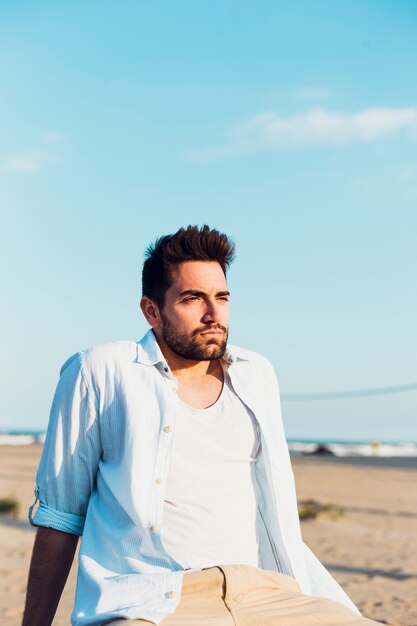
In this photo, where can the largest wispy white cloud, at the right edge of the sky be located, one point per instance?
(318, 127)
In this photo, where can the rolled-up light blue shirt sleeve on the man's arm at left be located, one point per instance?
(68, 467)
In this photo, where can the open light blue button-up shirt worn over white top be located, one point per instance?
(104, 467)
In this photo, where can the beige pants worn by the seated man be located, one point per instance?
(240, 595)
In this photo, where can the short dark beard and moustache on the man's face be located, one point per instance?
(195, 347)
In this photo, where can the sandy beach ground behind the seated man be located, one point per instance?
(371, 548)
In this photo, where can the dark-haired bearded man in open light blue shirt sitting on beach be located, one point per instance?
(169, 458)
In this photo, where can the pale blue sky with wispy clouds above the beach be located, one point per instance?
(292, 126)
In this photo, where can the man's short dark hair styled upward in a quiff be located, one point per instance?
(187, 244)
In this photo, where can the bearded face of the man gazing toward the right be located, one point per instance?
(196, 311)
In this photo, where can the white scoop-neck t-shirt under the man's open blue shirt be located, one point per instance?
(210, 510)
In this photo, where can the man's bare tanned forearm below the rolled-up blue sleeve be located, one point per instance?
(52, 557)
